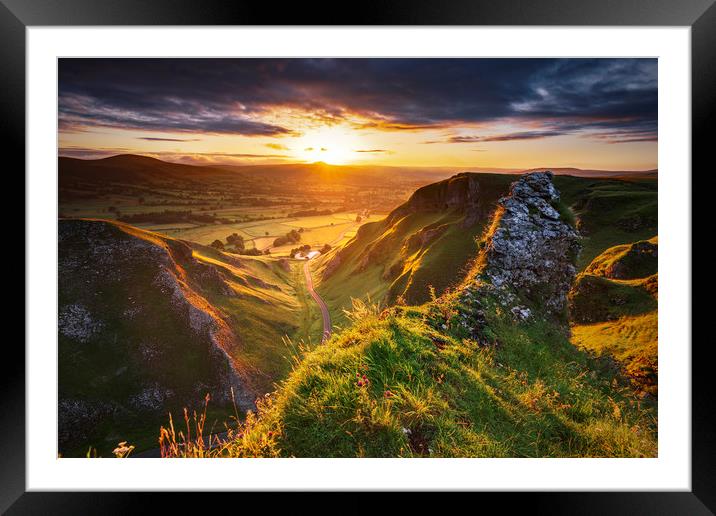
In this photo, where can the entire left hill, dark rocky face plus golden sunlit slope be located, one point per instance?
(149, 324)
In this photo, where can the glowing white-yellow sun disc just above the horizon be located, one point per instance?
(334, 145)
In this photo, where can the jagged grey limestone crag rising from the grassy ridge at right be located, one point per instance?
(531, 250)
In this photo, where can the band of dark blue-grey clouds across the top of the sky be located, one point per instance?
(228, 96)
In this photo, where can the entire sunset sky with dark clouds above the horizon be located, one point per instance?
(494, 113)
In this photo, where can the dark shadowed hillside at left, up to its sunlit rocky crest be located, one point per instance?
(136, 332)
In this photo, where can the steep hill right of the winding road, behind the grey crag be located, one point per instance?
(428, 241)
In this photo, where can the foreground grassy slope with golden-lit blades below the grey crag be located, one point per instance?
(437, 394)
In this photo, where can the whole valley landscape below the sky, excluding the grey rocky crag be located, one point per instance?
(179, 280)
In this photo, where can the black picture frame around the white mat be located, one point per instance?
(700, 15)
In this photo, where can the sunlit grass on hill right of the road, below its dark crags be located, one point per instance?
(441, 263)
